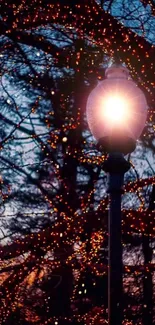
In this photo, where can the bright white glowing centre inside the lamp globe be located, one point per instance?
(115, 109)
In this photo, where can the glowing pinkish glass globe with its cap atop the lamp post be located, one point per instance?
(117, 108)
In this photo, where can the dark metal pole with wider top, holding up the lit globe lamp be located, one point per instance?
(116, 166)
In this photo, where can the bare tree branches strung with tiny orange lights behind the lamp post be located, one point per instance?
(54, 270)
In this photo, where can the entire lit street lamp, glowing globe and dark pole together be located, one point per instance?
(116, 114)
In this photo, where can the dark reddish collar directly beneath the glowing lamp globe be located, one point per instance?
(121, 144)
